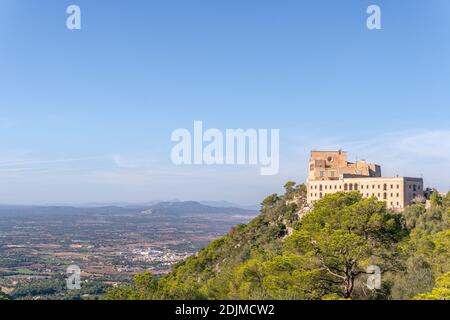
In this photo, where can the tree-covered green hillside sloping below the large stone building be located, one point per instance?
(323, 254)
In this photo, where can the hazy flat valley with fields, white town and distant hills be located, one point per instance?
(109, 243)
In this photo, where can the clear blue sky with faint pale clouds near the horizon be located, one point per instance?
(87, 115)
